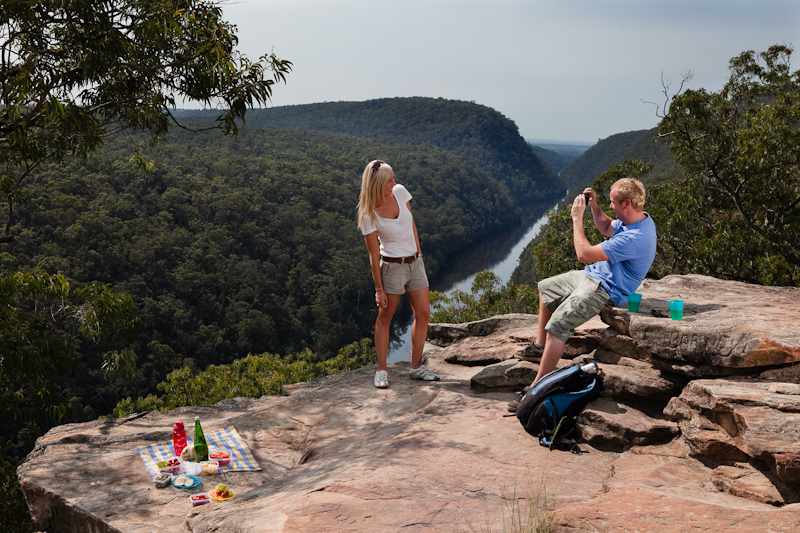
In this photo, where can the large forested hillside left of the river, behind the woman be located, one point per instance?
(237, 246)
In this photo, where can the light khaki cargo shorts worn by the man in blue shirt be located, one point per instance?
(574, 298)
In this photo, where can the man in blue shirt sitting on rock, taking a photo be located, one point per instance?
(619, 265)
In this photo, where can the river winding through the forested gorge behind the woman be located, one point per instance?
(499, 254)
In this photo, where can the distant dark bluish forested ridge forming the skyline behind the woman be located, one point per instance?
(480, 134)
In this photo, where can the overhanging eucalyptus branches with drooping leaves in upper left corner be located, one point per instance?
(73, 72)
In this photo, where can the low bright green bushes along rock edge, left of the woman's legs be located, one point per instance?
(253, 376)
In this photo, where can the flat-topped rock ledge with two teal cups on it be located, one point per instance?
(727, 328)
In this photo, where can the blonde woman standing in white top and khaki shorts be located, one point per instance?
(395, 258)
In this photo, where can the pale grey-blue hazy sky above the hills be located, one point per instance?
(567, 70)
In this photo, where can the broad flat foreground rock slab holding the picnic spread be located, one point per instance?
(340, 455)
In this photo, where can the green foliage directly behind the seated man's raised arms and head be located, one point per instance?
(553, 251)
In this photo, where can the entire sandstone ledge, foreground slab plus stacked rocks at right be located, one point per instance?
(340, 455)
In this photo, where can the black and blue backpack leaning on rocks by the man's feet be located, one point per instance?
(548, 409)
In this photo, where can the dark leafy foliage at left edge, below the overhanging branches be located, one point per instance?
(43, 325)
